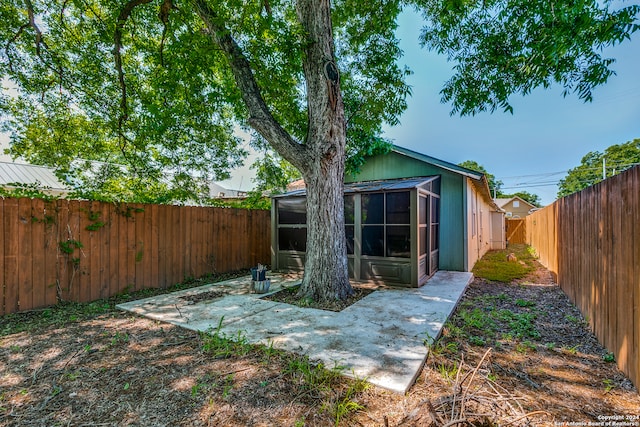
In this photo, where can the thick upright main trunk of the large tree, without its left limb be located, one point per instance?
(326, 275)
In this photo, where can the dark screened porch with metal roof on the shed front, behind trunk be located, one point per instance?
(392, 230)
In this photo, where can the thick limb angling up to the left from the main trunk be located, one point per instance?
(260, 118)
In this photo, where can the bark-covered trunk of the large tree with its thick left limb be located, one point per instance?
(321, 158)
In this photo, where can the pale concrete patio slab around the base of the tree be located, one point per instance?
(380, 338)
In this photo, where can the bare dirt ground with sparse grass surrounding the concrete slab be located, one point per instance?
(117, 369)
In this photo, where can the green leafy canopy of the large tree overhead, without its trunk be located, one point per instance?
(138, 91)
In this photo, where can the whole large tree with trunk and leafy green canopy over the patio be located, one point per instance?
(163, 83)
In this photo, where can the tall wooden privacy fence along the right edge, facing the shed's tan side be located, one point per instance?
(591, 240)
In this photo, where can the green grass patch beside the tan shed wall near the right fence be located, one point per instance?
(495, 267)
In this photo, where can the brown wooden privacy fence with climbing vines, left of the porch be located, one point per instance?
(82, 251)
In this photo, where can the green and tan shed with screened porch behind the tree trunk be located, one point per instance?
(406, 216)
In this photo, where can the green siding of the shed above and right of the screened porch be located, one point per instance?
(452, 223)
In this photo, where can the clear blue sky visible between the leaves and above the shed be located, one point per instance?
(530, 150)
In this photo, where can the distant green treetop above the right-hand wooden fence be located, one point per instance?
(596, 166)
